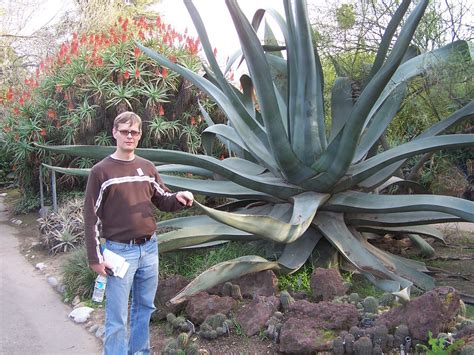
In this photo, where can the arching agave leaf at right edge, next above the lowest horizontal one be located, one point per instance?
(361, 171)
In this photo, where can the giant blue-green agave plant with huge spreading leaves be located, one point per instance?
(291, 181)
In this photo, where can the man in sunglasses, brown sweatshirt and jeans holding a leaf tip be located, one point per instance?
(122, 192)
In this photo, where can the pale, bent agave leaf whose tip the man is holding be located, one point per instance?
(272, 228)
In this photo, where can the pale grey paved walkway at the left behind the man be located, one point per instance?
(33, 320)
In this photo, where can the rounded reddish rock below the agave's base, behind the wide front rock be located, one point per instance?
(327, 284)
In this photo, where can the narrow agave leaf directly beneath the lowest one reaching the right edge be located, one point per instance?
(400, 218)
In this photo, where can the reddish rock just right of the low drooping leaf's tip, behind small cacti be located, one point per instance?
(202, 305)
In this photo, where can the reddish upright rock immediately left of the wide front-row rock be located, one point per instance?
(252, 317)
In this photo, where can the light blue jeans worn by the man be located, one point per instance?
(142, 280)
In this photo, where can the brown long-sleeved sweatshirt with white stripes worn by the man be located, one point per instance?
(120, 200)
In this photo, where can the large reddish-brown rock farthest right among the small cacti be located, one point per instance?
(434, 311)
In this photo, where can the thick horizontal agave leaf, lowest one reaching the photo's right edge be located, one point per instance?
(352, 201)
